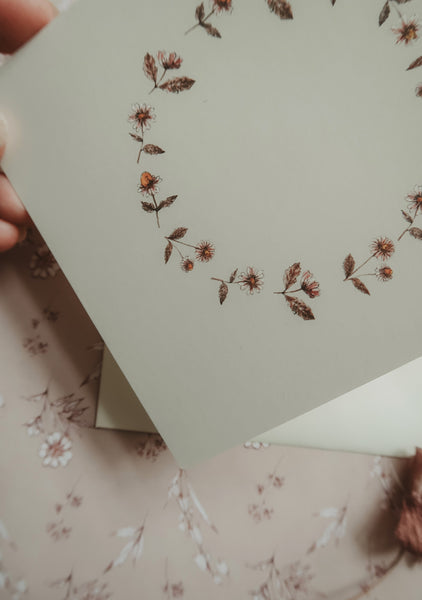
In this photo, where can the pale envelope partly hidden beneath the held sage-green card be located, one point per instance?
(381, 417)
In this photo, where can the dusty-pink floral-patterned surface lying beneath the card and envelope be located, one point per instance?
(90, 514)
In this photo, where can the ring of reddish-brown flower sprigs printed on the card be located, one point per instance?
(298, 283)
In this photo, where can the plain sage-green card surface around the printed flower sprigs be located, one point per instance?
(298, 142)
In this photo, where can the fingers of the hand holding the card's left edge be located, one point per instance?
(19, 21)
